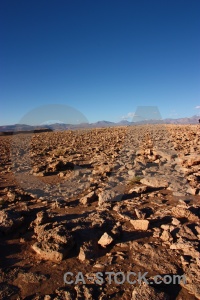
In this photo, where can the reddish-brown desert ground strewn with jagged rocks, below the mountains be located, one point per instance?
(122, 199)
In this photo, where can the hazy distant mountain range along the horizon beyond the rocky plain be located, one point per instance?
(9, 129)
